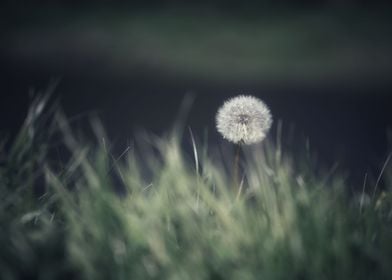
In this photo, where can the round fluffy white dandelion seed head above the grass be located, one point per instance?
(244, 120)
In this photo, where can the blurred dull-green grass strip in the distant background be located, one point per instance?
(308, 46)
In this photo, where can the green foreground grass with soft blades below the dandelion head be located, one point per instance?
(157, 212)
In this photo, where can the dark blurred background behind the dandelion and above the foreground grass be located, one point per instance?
(324, 67)
